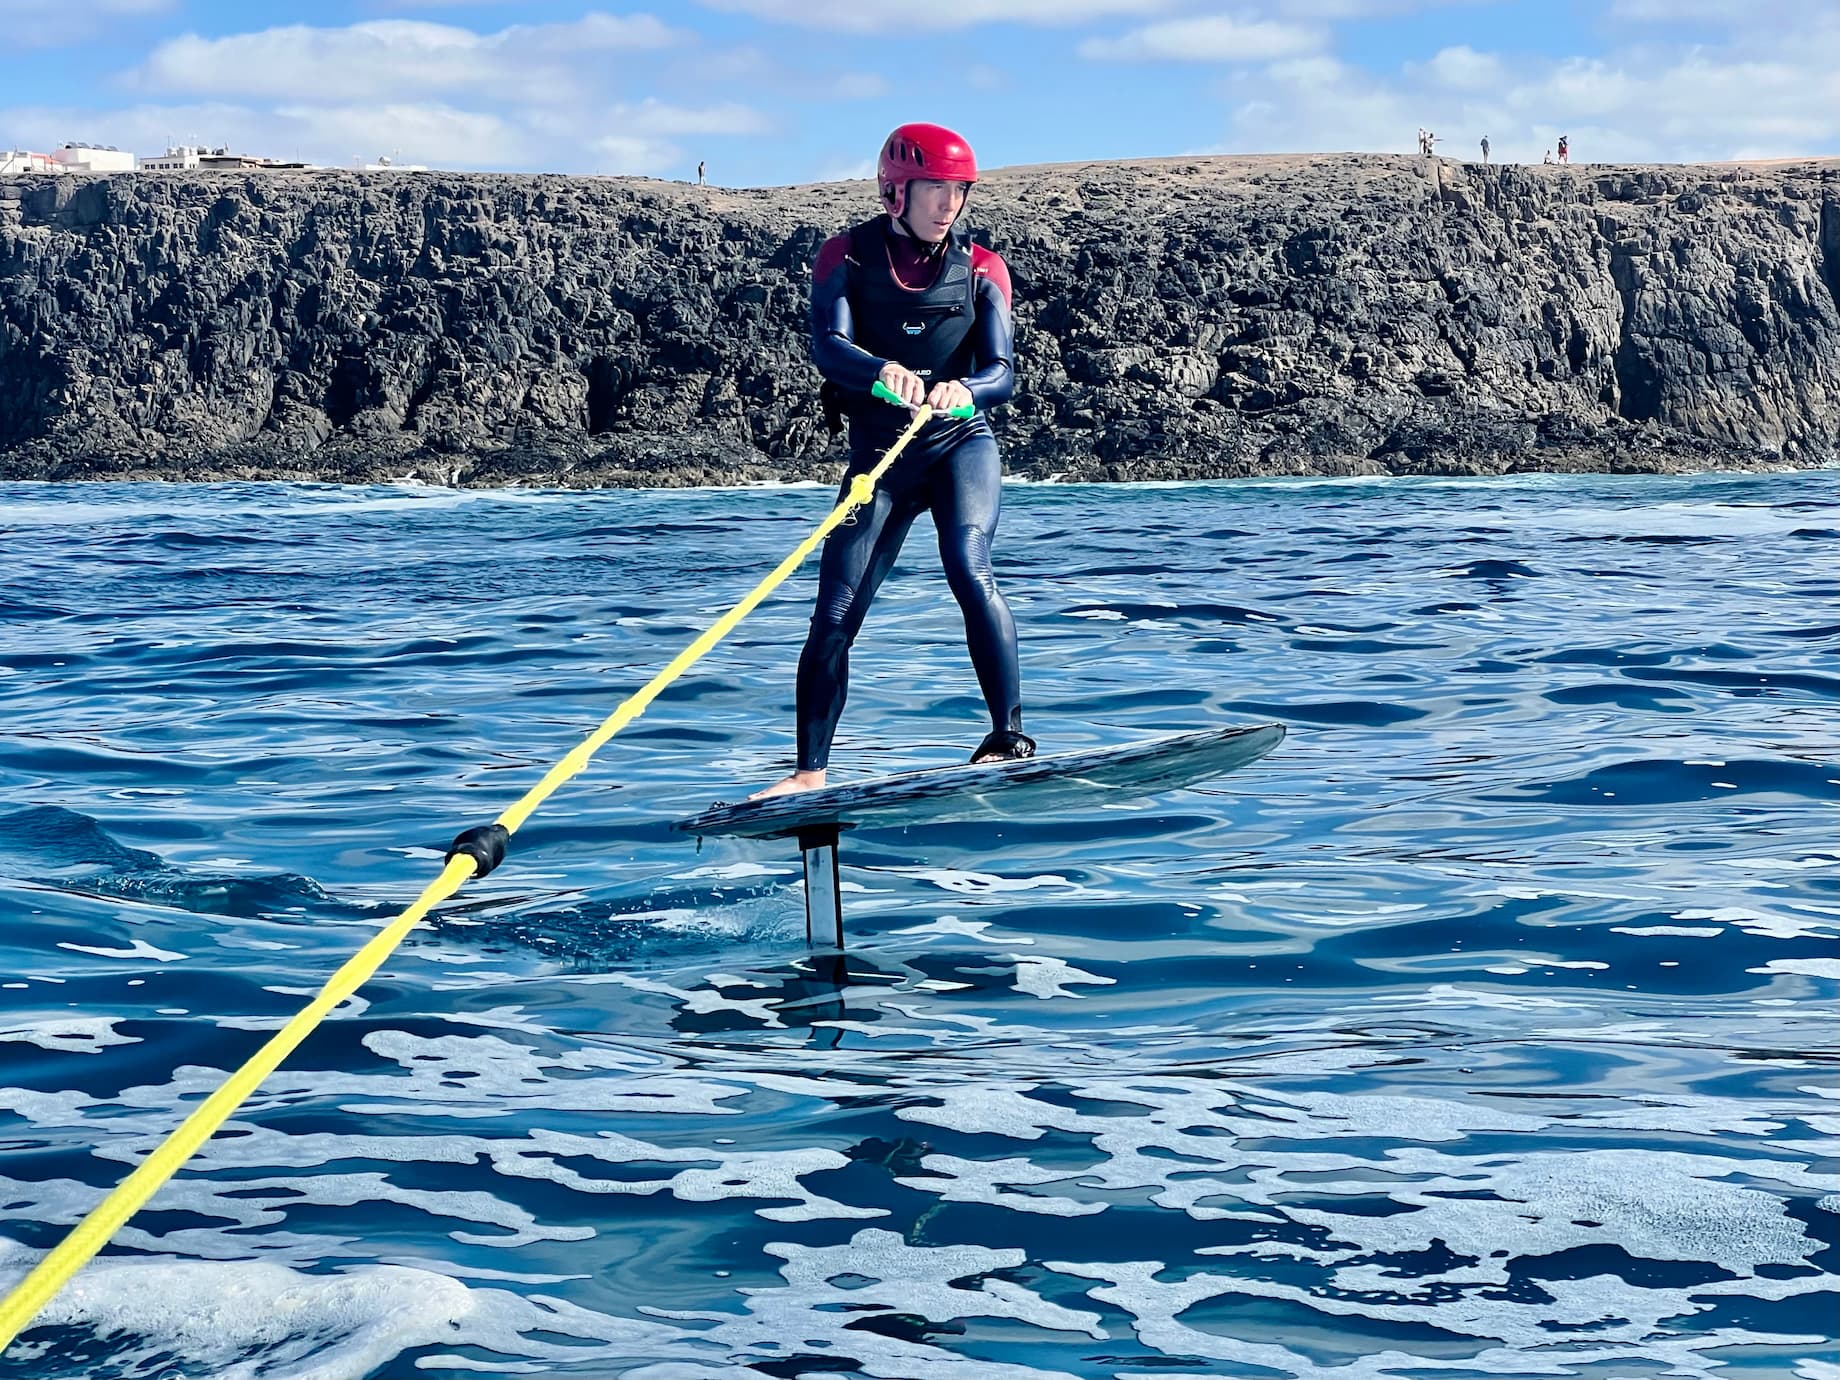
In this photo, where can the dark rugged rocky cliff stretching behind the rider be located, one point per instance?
(1175, 319)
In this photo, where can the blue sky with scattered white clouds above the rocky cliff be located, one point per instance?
(798, 91)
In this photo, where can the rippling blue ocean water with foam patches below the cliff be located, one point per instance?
(1484, 1029)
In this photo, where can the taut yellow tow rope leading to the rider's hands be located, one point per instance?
(133, 1193)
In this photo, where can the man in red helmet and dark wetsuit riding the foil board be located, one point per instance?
(906, 299)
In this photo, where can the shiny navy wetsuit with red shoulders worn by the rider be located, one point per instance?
(950, 470)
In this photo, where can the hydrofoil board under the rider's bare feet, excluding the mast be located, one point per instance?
(1033, 788)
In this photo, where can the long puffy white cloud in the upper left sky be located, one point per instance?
(400, 58)
